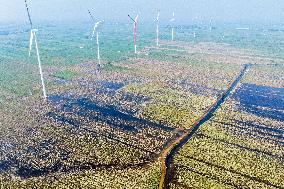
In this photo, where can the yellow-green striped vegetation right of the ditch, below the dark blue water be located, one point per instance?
(233, 159)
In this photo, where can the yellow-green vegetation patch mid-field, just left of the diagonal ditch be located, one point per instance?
(171, 107)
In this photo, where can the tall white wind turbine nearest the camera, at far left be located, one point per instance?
(33, 38)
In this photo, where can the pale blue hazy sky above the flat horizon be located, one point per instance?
(117, 10)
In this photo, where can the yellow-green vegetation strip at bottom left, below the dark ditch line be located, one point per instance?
(144, 178)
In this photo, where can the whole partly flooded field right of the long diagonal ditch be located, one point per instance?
(241, 146)
